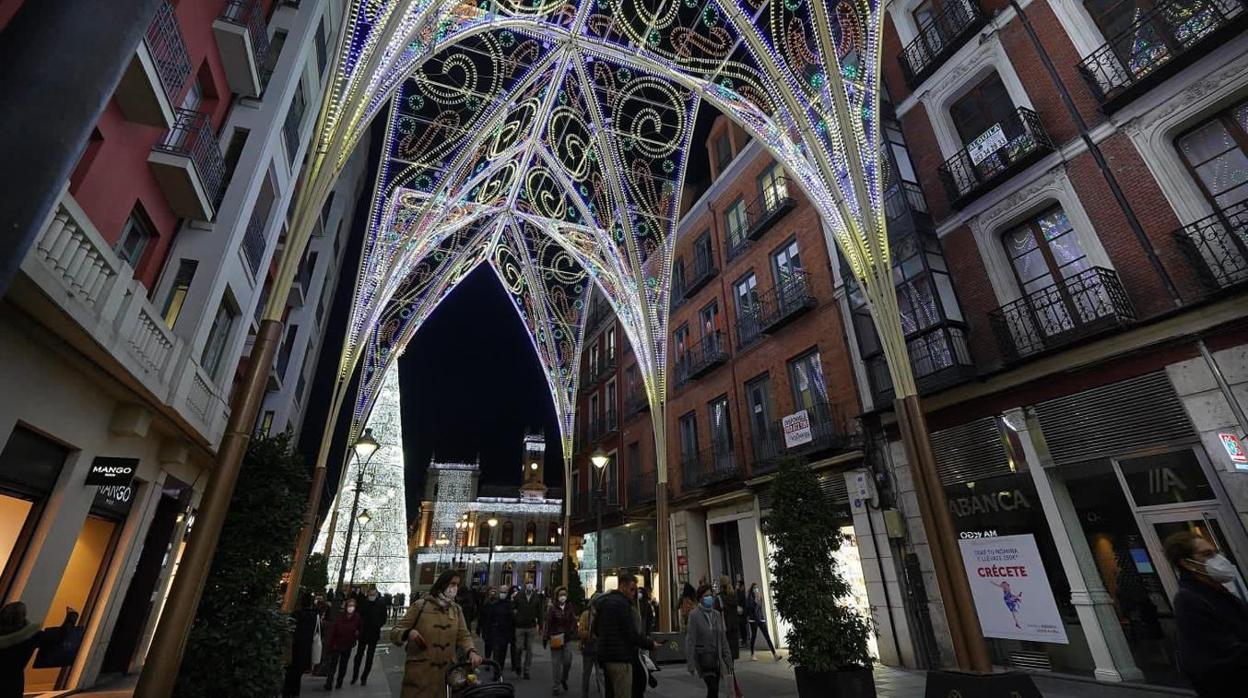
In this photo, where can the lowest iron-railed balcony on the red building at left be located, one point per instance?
(189, 167)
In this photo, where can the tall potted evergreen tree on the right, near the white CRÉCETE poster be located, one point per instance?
(828, 637)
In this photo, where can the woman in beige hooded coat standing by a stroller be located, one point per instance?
(431, 632)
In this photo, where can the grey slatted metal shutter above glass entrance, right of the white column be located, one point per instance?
(1116, 419)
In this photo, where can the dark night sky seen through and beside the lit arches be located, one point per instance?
(472, 383)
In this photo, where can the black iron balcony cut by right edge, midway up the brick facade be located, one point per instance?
(1219, 247)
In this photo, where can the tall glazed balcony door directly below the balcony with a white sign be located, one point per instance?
(1050, 264)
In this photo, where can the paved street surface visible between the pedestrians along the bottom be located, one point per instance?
(759, 680)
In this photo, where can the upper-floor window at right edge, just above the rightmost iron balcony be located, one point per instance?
(1216, 154)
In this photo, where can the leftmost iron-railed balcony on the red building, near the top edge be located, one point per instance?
(158, 73)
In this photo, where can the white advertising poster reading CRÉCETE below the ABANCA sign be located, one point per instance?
(1012, 590)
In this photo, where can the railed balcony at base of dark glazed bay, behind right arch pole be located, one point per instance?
(939, 358)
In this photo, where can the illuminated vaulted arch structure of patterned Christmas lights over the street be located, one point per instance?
(550, 140)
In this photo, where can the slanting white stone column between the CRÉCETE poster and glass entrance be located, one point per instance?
(1111, 655)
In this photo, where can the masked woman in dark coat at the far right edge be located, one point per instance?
(1212, 622)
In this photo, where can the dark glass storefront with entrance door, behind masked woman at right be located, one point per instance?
(1128, 508)
